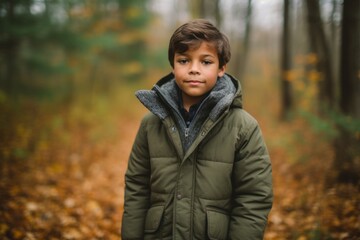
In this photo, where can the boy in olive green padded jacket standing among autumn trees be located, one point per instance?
(199, 168)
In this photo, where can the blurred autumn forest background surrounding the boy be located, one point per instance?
(68, 115)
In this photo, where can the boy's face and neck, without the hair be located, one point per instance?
(196, 72)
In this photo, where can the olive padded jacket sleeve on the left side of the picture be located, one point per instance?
(137, 190)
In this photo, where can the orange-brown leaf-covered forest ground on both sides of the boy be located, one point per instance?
(67, 182)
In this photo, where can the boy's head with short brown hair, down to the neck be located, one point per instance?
(198, 54)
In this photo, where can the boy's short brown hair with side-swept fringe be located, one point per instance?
(192, 34)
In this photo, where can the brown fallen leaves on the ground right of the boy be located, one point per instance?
(306, 205)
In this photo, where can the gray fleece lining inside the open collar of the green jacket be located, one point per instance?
(162, 100)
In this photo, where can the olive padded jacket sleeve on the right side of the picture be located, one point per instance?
(252, 186)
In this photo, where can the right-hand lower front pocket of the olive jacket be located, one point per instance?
(217, 224)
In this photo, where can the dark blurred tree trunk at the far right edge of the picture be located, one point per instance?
(347, 159)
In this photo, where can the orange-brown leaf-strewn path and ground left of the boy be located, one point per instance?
(68, 195)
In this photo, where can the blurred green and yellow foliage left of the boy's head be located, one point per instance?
(58, 48)
